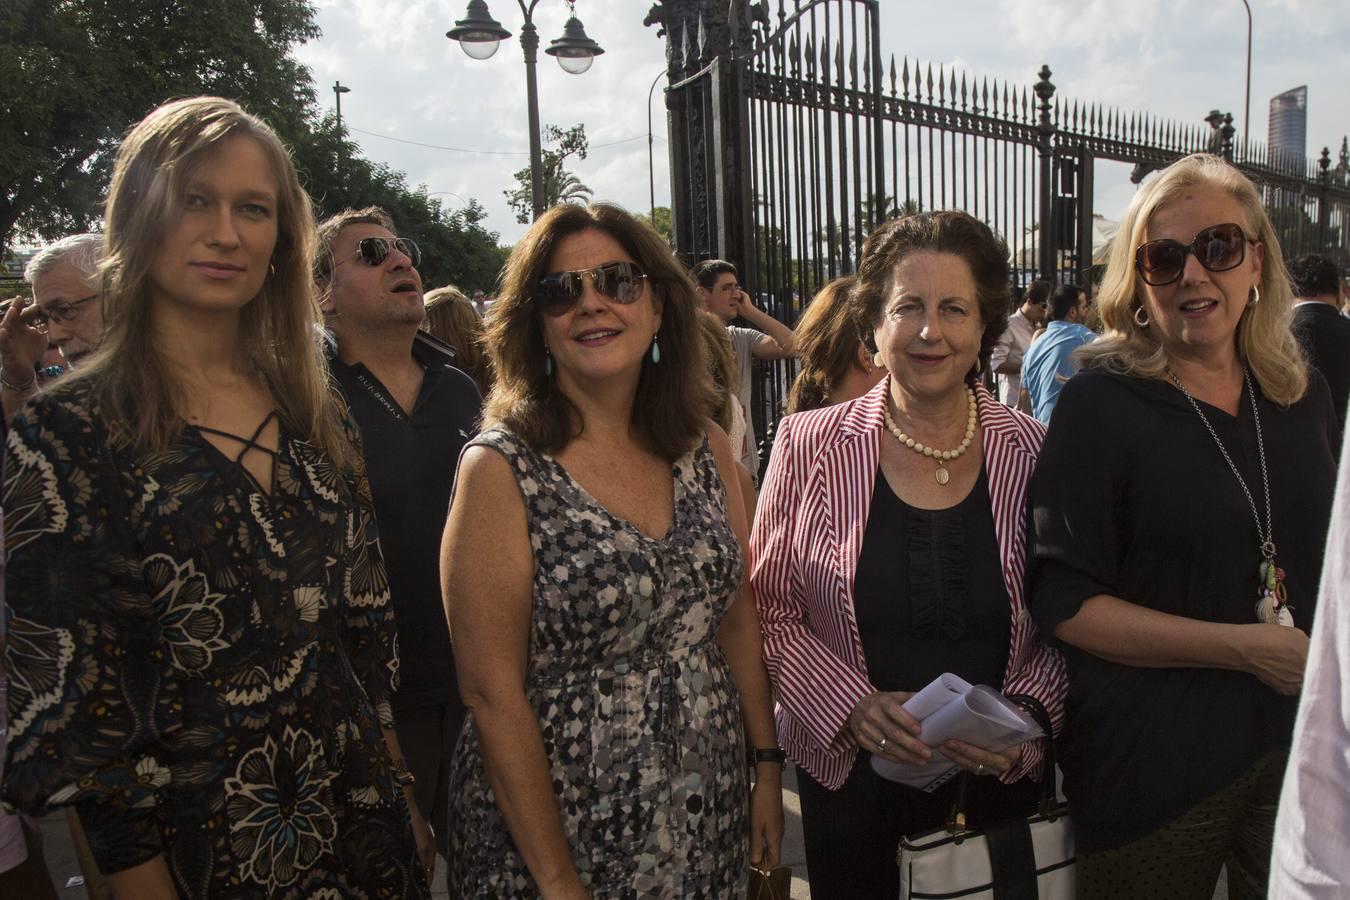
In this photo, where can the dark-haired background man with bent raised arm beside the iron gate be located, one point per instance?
(769, 339)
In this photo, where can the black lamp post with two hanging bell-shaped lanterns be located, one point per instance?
(480, 37)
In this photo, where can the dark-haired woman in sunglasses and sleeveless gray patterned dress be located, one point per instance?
(593, 565)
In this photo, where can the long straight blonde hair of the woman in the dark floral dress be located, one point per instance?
(140, 399)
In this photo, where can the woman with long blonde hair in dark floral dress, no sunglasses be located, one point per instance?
(200, 647)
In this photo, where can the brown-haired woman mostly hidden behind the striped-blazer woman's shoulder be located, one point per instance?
(836, 366)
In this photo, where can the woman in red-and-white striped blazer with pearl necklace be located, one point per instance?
(890, 549)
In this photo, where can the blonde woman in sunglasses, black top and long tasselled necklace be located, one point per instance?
(1182, 503)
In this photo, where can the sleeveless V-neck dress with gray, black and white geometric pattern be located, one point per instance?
(635, 700)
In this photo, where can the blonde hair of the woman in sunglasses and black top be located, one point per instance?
(1266, 342)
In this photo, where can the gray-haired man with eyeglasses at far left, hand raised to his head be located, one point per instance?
(63, 320)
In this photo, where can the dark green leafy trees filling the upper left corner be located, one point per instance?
(76, 75)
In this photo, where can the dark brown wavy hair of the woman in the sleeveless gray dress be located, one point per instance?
(674, 397)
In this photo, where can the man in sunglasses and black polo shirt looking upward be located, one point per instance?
(415, 412)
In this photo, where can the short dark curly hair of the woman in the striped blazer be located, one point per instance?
(946, 231)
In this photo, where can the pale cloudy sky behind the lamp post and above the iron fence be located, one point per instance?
(1177, 59)
